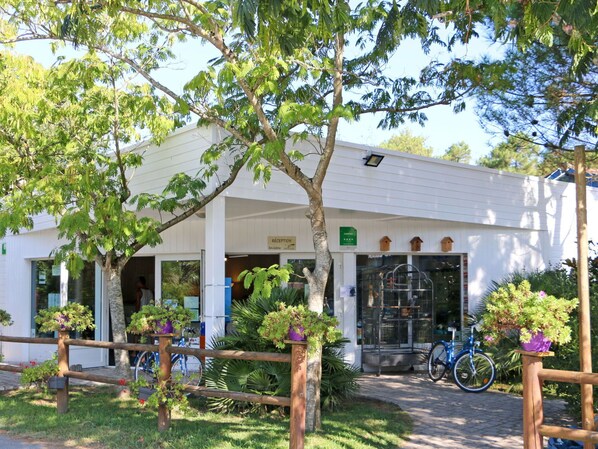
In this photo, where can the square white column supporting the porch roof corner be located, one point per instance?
(213, 303)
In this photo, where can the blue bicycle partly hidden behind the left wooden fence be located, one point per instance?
(187, 368)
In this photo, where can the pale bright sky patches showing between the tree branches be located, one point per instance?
(442, 128)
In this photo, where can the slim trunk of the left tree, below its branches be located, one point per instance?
(117, 314)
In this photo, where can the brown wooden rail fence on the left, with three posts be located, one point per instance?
(297, 359)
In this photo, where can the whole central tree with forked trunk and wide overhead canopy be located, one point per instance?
(275, 83)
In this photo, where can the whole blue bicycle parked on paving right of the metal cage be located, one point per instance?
(473, 371)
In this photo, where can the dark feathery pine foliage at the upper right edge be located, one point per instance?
(537, 93)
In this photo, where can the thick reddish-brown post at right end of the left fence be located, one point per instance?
(298, 393)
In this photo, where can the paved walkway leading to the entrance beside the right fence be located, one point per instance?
(444, 417)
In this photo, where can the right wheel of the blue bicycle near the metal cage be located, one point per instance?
(474, 372)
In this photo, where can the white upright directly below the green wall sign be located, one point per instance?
(352, 350)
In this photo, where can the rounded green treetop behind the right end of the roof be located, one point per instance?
(517, 155)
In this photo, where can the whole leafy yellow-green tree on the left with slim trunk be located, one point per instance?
(61, 137)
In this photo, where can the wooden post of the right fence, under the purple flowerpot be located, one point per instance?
(533, 408)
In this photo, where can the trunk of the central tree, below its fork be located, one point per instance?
(317, 286)
